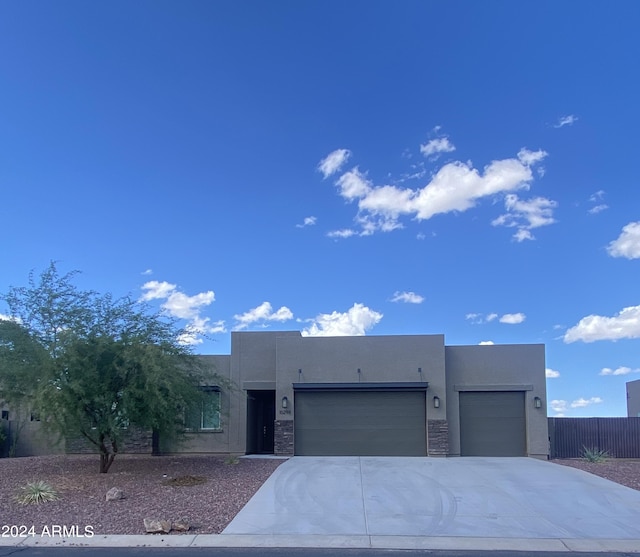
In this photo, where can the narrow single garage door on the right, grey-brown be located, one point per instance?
(492, 424)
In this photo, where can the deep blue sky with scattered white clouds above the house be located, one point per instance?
(465, 168)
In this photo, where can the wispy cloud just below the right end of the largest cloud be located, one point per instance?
(526, 215)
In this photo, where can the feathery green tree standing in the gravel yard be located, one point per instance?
(91, 365)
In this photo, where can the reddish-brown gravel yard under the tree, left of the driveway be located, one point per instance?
(209, 506)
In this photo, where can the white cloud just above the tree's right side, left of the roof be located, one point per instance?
(179, 305)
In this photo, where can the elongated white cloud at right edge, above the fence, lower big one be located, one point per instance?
(625, 324)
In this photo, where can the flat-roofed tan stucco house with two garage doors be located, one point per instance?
(407, 395)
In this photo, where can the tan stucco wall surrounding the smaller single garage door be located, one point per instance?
(512, 367)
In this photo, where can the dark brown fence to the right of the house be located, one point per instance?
(568, 437)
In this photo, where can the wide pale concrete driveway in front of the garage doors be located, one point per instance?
(449, 497)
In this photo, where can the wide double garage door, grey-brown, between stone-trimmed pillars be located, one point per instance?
(360, 423)
